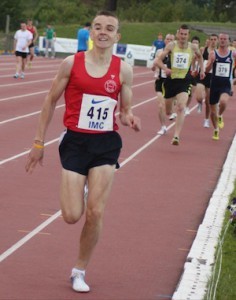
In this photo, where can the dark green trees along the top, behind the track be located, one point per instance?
(80, 11)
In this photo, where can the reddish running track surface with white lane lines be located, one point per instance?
(158, 199)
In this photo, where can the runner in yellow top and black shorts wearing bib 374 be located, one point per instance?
(178, 82)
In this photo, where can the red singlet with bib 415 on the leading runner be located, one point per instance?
(91, 102)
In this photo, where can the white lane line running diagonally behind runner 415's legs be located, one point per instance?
(30, 235)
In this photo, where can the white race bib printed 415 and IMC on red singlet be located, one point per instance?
(97, 113)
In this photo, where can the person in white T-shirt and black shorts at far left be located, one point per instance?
(22, 39)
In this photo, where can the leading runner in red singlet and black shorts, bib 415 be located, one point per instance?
(93, 82)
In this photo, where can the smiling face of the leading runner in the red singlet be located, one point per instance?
(104, 32)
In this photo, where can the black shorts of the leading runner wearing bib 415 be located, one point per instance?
(80, 152)
